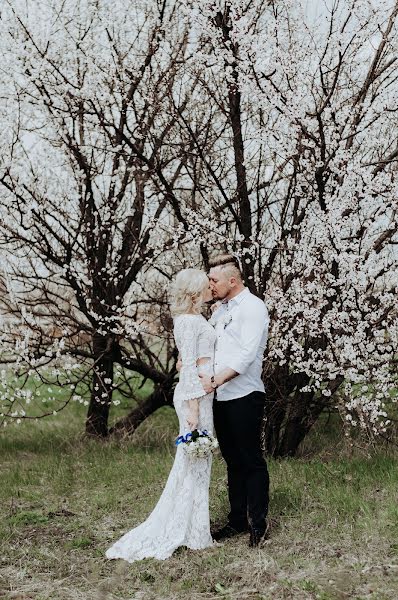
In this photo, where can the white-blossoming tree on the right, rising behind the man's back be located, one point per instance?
(300, 181)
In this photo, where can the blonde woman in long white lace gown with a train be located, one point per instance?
(181, 517)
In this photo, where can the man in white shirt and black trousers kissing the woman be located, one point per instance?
(241, 324)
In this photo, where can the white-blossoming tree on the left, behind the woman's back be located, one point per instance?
(85, 127)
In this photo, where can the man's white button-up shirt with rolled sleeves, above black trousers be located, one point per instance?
(241, 325)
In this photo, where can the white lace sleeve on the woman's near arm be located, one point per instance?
(186, 334)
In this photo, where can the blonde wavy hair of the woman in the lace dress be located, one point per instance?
(187, 292)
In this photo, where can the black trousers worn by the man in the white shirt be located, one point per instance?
(238, 425)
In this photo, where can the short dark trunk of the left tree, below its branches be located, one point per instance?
(102, 386)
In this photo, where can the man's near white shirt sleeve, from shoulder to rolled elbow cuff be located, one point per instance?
(253, 323)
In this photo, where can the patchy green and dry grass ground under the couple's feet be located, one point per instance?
(65, 499)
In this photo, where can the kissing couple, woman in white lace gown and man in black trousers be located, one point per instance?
(220, 379)
